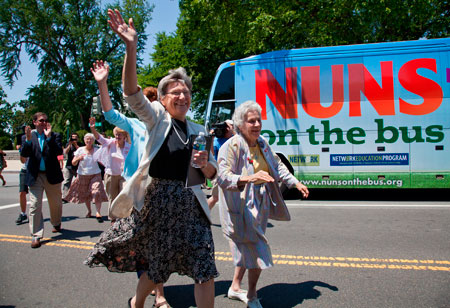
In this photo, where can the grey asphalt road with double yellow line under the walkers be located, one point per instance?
(332, 254)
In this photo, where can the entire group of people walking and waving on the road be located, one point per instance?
(159, 226)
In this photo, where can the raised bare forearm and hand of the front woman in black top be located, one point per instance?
(128, 35)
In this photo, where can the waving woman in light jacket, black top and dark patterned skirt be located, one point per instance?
(167, 226)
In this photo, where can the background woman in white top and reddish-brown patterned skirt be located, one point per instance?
(88, 185)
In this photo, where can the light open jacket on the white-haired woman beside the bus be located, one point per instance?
(238, 223)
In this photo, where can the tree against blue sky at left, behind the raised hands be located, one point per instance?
(64, 38)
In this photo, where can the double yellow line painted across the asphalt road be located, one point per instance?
(292, 260)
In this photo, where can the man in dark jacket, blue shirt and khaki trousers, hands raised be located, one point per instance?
(42, 147)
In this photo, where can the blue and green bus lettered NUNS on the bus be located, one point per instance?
(356, 116)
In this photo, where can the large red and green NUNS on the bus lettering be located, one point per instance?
(360, 80)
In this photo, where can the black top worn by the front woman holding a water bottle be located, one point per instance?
(172, 160)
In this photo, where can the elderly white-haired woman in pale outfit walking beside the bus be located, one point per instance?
(249, 172)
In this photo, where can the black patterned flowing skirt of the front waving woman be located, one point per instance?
(170, 234)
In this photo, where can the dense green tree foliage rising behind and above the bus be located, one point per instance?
(213, 32)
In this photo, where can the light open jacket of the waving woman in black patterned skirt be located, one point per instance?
(158, 124)
